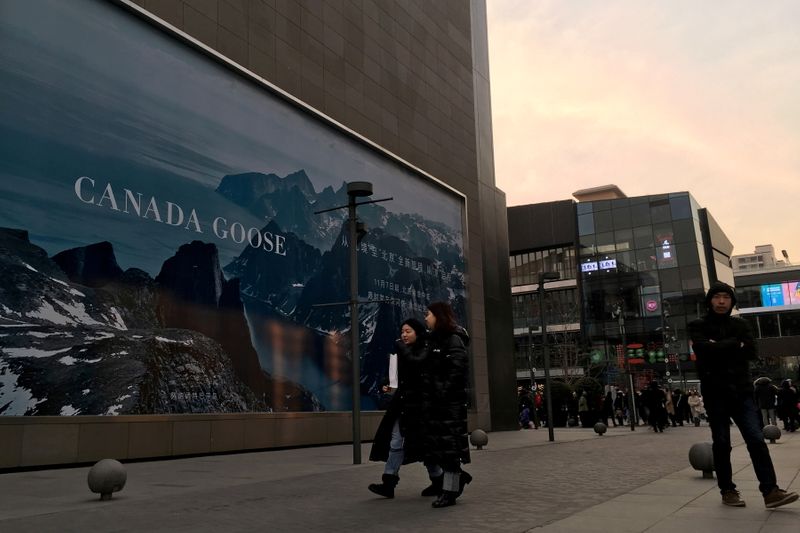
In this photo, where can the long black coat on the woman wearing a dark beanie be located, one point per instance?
(409, 404)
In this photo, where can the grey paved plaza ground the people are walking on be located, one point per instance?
(621, 482)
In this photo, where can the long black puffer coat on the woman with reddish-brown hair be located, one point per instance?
(447, 440)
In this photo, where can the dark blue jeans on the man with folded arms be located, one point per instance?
(721, 408)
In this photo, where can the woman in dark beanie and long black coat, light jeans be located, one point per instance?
(400, 438)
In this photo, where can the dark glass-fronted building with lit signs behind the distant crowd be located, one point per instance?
(641, 268)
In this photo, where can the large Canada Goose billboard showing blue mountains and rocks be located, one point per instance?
(159, 247)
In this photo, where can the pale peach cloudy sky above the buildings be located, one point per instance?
(679, 95)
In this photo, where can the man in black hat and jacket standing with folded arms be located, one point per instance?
(724, 348)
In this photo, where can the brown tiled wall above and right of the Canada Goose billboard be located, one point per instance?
(409, 75)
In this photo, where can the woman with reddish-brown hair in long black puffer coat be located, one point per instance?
(448, 444)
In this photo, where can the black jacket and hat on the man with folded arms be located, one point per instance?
(724, 347)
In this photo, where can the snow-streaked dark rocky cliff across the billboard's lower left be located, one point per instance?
(131, 344)
